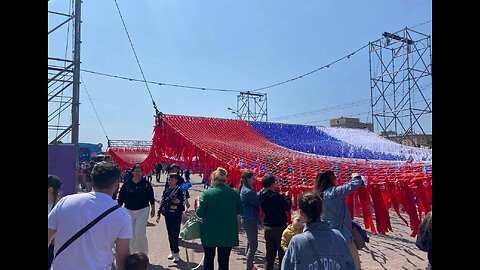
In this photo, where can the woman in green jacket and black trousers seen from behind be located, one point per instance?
(219, 208)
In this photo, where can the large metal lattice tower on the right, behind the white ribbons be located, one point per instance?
(400, 82)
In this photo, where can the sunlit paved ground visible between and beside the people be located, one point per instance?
(397, 250)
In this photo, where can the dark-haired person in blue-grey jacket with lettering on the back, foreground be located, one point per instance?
(319, 246)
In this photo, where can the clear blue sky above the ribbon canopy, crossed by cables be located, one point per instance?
(228, 44)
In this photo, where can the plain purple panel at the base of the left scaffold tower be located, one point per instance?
(63, 162)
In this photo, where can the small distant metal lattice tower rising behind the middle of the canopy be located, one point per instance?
(252, 106)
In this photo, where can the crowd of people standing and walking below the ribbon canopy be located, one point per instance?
(109, 217)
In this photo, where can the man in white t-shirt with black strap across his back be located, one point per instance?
(93, 249)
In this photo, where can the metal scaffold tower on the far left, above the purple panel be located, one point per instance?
(64, 74)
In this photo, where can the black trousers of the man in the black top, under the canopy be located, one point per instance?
(273, 239)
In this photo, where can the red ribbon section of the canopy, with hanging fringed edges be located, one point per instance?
(203, 144)
